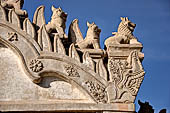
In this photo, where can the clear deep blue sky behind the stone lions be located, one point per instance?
(153, 30)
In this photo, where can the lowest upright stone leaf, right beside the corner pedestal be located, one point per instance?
(101, 70)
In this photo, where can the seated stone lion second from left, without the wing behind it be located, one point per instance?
(57, 23)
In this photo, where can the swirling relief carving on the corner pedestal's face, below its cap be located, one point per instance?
(127, 75)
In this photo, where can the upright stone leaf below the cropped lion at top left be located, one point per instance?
(13, 18)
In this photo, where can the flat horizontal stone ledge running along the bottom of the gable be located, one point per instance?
(54, 106)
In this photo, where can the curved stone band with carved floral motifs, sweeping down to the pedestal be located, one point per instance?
(36, 62)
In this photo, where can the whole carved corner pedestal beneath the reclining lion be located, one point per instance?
(125, 71)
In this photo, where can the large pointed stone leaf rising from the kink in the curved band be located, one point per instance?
(44, 39)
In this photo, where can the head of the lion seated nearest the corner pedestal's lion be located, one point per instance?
(93, 31)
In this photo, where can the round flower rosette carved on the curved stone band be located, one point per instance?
(36, 65)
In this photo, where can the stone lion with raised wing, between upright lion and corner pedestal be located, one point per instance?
(92, 37)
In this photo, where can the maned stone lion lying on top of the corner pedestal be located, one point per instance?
(124, 34)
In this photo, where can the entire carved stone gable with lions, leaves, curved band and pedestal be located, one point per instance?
(49, 70)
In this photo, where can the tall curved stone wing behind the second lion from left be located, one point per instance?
(39, 19)
